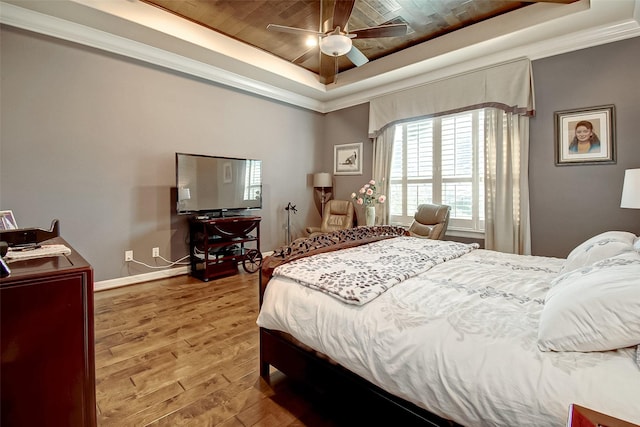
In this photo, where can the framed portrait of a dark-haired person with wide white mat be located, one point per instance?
(585, 136)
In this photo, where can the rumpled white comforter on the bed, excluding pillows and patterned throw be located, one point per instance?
(460, 341)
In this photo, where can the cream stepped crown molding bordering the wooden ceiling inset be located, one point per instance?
(606, 21)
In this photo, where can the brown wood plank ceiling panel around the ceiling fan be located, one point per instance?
(247, 20)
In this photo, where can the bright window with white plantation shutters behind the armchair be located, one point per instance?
(439, 160)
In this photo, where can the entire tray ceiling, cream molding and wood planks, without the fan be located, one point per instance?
(456, 36)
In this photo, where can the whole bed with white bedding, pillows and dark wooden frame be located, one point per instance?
(454, 334)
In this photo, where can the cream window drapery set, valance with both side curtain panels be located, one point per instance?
(506, 91)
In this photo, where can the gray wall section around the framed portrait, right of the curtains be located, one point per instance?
(572, 203)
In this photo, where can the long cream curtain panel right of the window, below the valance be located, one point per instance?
(507, 226)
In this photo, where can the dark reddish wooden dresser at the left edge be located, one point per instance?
(48, 365)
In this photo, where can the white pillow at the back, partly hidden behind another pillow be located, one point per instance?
(604, 245)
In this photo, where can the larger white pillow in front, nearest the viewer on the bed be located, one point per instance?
(595, 308)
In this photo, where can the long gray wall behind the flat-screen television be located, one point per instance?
(90, 138)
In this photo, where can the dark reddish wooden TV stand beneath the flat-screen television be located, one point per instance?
(217, 245)
